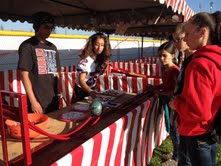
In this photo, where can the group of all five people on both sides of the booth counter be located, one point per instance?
(190, 93)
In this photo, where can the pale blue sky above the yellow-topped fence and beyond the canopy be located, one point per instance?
(196, 5)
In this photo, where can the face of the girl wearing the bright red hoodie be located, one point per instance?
(193, 36)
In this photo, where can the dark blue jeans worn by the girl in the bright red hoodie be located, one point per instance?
(201, 149)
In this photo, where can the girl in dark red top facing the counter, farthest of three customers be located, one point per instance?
(170, 72)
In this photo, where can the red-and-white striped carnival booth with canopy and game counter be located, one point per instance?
(125, 124)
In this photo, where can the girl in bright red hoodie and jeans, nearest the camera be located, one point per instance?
(201, 95)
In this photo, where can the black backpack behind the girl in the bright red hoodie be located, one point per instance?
(216, 133)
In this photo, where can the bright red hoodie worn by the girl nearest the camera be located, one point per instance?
(201, 95)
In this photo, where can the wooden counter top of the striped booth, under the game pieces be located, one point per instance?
(56, 149)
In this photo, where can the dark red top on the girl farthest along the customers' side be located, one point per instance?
(169, 78)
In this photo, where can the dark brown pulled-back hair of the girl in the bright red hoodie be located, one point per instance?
(210, 21)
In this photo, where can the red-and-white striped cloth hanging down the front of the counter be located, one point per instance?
(128, 141)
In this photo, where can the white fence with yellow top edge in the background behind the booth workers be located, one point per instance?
(69, 47)
